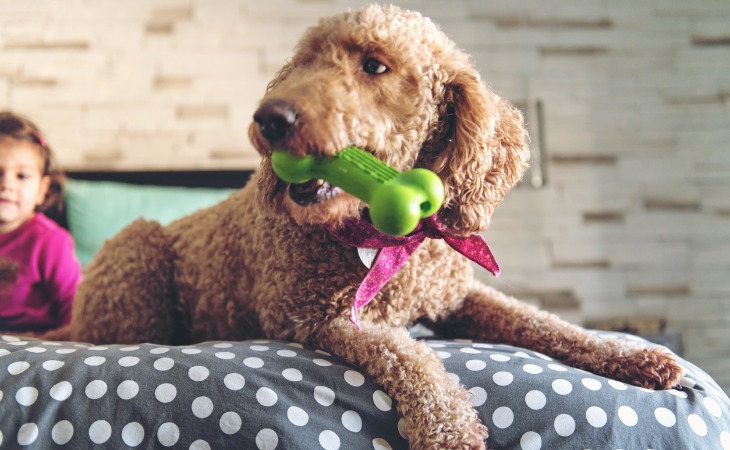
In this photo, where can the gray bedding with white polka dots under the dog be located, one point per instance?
(278, 395)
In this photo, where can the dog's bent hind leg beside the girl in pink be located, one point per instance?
(126, 294)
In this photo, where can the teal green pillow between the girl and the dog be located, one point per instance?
(97, 210)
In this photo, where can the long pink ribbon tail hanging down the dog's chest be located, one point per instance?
(388, 261)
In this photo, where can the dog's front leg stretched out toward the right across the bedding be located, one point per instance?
(488, 314)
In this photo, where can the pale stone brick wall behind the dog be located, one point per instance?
(634, 220)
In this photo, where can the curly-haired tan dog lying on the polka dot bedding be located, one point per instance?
(264, 263)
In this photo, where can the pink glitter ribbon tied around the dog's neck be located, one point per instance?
(395, 251)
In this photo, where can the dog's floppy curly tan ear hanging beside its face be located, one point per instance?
(480, 150)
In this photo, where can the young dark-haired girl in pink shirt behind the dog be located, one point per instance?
(36, 249)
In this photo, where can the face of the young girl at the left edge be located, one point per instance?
(22, 184)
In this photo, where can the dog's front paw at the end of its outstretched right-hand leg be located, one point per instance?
(652, 368)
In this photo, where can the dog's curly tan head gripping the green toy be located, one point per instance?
(389, 81)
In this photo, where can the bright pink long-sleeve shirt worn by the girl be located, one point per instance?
(48, 274)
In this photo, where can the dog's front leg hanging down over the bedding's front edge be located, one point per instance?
(436, 411)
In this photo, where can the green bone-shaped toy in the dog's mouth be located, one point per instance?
(398, 200)
